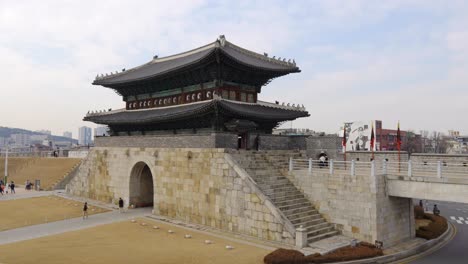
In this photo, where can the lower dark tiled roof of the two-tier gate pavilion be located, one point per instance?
(254, 111)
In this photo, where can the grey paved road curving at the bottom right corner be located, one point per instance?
(456, 251)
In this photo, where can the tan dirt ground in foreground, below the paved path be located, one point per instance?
(127, 242)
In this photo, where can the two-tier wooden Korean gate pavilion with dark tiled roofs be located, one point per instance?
(209, 90)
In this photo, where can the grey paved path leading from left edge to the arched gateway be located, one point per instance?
(36, 231)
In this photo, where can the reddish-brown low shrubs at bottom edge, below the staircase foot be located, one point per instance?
(361, 251)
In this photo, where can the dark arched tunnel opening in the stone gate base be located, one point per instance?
(141, 186)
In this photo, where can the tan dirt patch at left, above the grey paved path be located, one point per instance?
(39, 210)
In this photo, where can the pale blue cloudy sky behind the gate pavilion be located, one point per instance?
(393, 60)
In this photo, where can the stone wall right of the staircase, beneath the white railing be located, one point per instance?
(358, 205)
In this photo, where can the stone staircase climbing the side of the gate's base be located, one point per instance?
(287, 198)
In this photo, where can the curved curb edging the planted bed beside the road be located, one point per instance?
(430, 244)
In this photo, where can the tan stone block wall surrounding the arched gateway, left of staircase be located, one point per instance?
(197, 185)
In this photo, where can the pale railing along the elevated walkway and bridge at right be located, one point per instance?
(408, 169)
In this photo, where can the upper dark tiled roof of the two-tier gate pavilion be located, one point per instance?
(160, 66)
